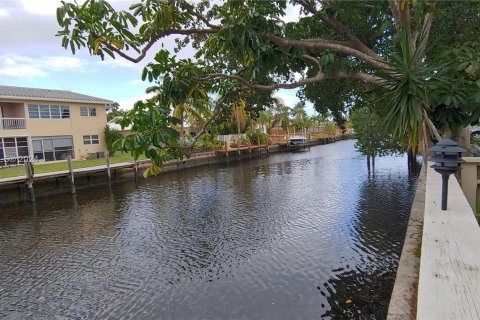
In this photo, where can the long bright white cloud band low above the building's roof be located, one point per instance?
(28, 67)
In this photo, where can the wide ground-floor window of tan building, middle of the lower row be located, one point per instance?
(52, 148)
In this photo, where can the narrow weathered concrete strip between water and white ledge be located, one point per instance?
(403, 300)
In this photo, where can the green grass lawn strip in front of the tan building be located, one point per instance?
(62, 165)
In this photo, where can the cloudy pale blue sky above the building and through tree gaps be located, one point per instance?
(32, 56)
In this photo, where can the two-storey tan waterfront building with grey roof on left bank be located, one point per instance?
(47, 125)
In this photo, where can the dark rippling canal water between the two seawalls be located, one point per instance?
(303, 235)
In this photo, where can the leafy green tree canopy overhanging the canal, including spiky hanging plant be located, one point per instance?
(335, 52)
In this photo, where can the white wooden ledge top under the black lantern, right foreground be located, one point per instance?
(449, 282)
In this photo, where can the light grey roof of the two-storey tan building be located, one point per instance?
(20, 93)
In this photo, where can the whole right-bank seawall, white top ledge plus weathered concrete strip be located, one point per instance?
(447, 272)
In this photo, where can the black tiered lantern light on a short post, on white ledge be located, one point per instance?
(447, 157)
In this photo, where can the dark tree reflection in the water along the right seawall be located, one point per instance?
(363, 292)
